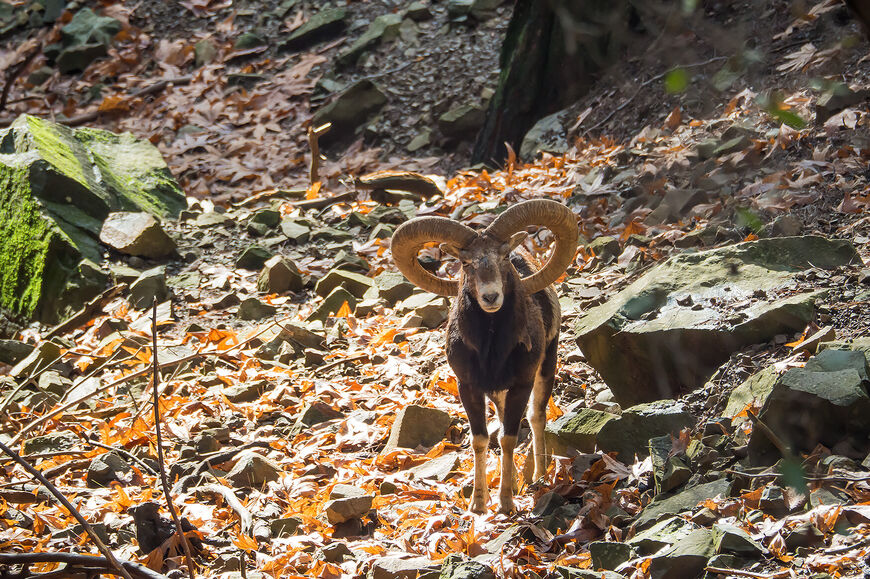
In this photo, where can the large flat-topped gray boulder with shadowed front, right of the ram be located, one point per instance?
(668, 331)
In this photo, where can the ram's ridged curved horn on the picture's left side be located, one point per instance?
(410, 236)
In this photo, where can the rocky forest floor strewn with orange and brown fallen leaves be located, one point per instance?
(778, 159)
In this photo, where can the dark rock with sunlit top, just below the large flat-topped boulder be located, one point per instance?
(630, 433)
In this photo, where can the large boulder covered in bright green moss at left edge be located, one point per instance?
(57, 185)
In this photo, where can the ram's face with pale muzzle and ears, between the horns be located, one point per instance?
(486, 268)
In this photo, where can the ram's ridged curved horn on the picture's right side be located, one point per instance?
(546, 213)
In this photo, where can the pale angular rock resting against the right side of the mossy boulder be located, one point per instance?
(138, 234)
